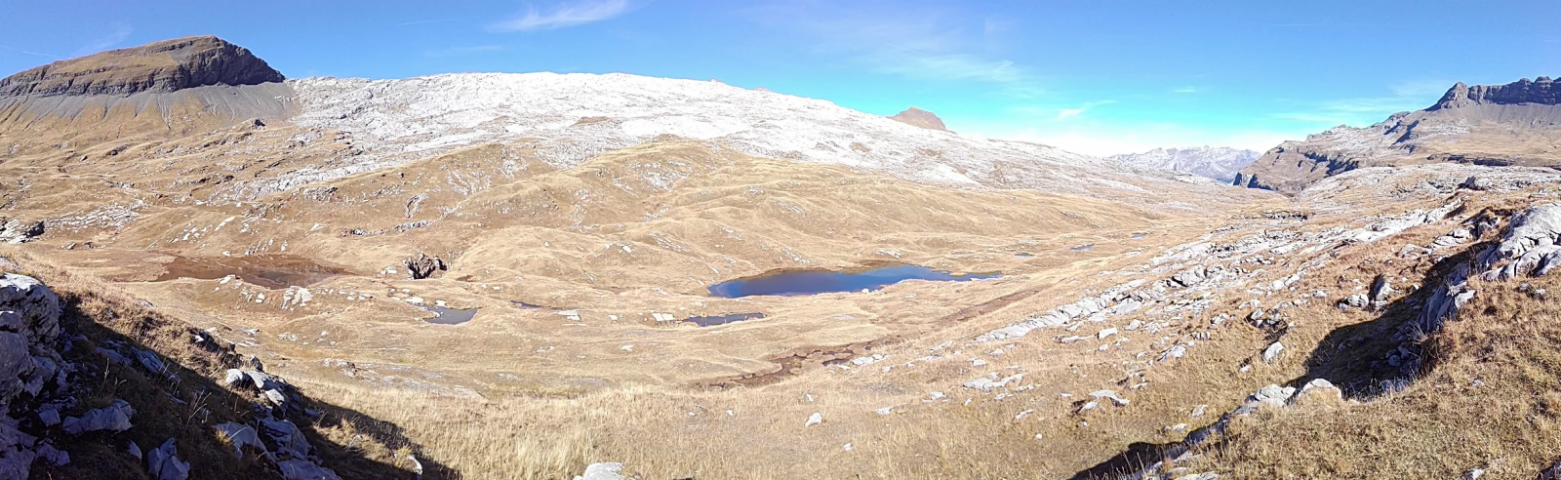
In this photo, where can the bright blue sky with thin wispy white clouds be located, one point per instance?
(1095, 77)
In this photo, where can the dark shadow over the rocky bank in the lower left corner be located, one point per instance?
(183, 406)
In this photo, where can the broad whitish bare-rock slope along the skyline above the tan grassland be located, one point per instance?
(577, 116)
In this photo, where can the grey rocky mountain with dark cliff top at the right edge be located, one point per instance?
(1515, 124)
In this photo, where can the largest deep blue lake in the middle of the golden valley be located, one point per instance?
(823, 282)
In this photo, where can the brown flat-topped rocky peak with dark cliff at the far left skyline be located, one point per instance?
(160, 66)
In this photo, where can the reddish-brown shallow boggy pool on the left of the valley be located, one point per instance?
(269, 271)
